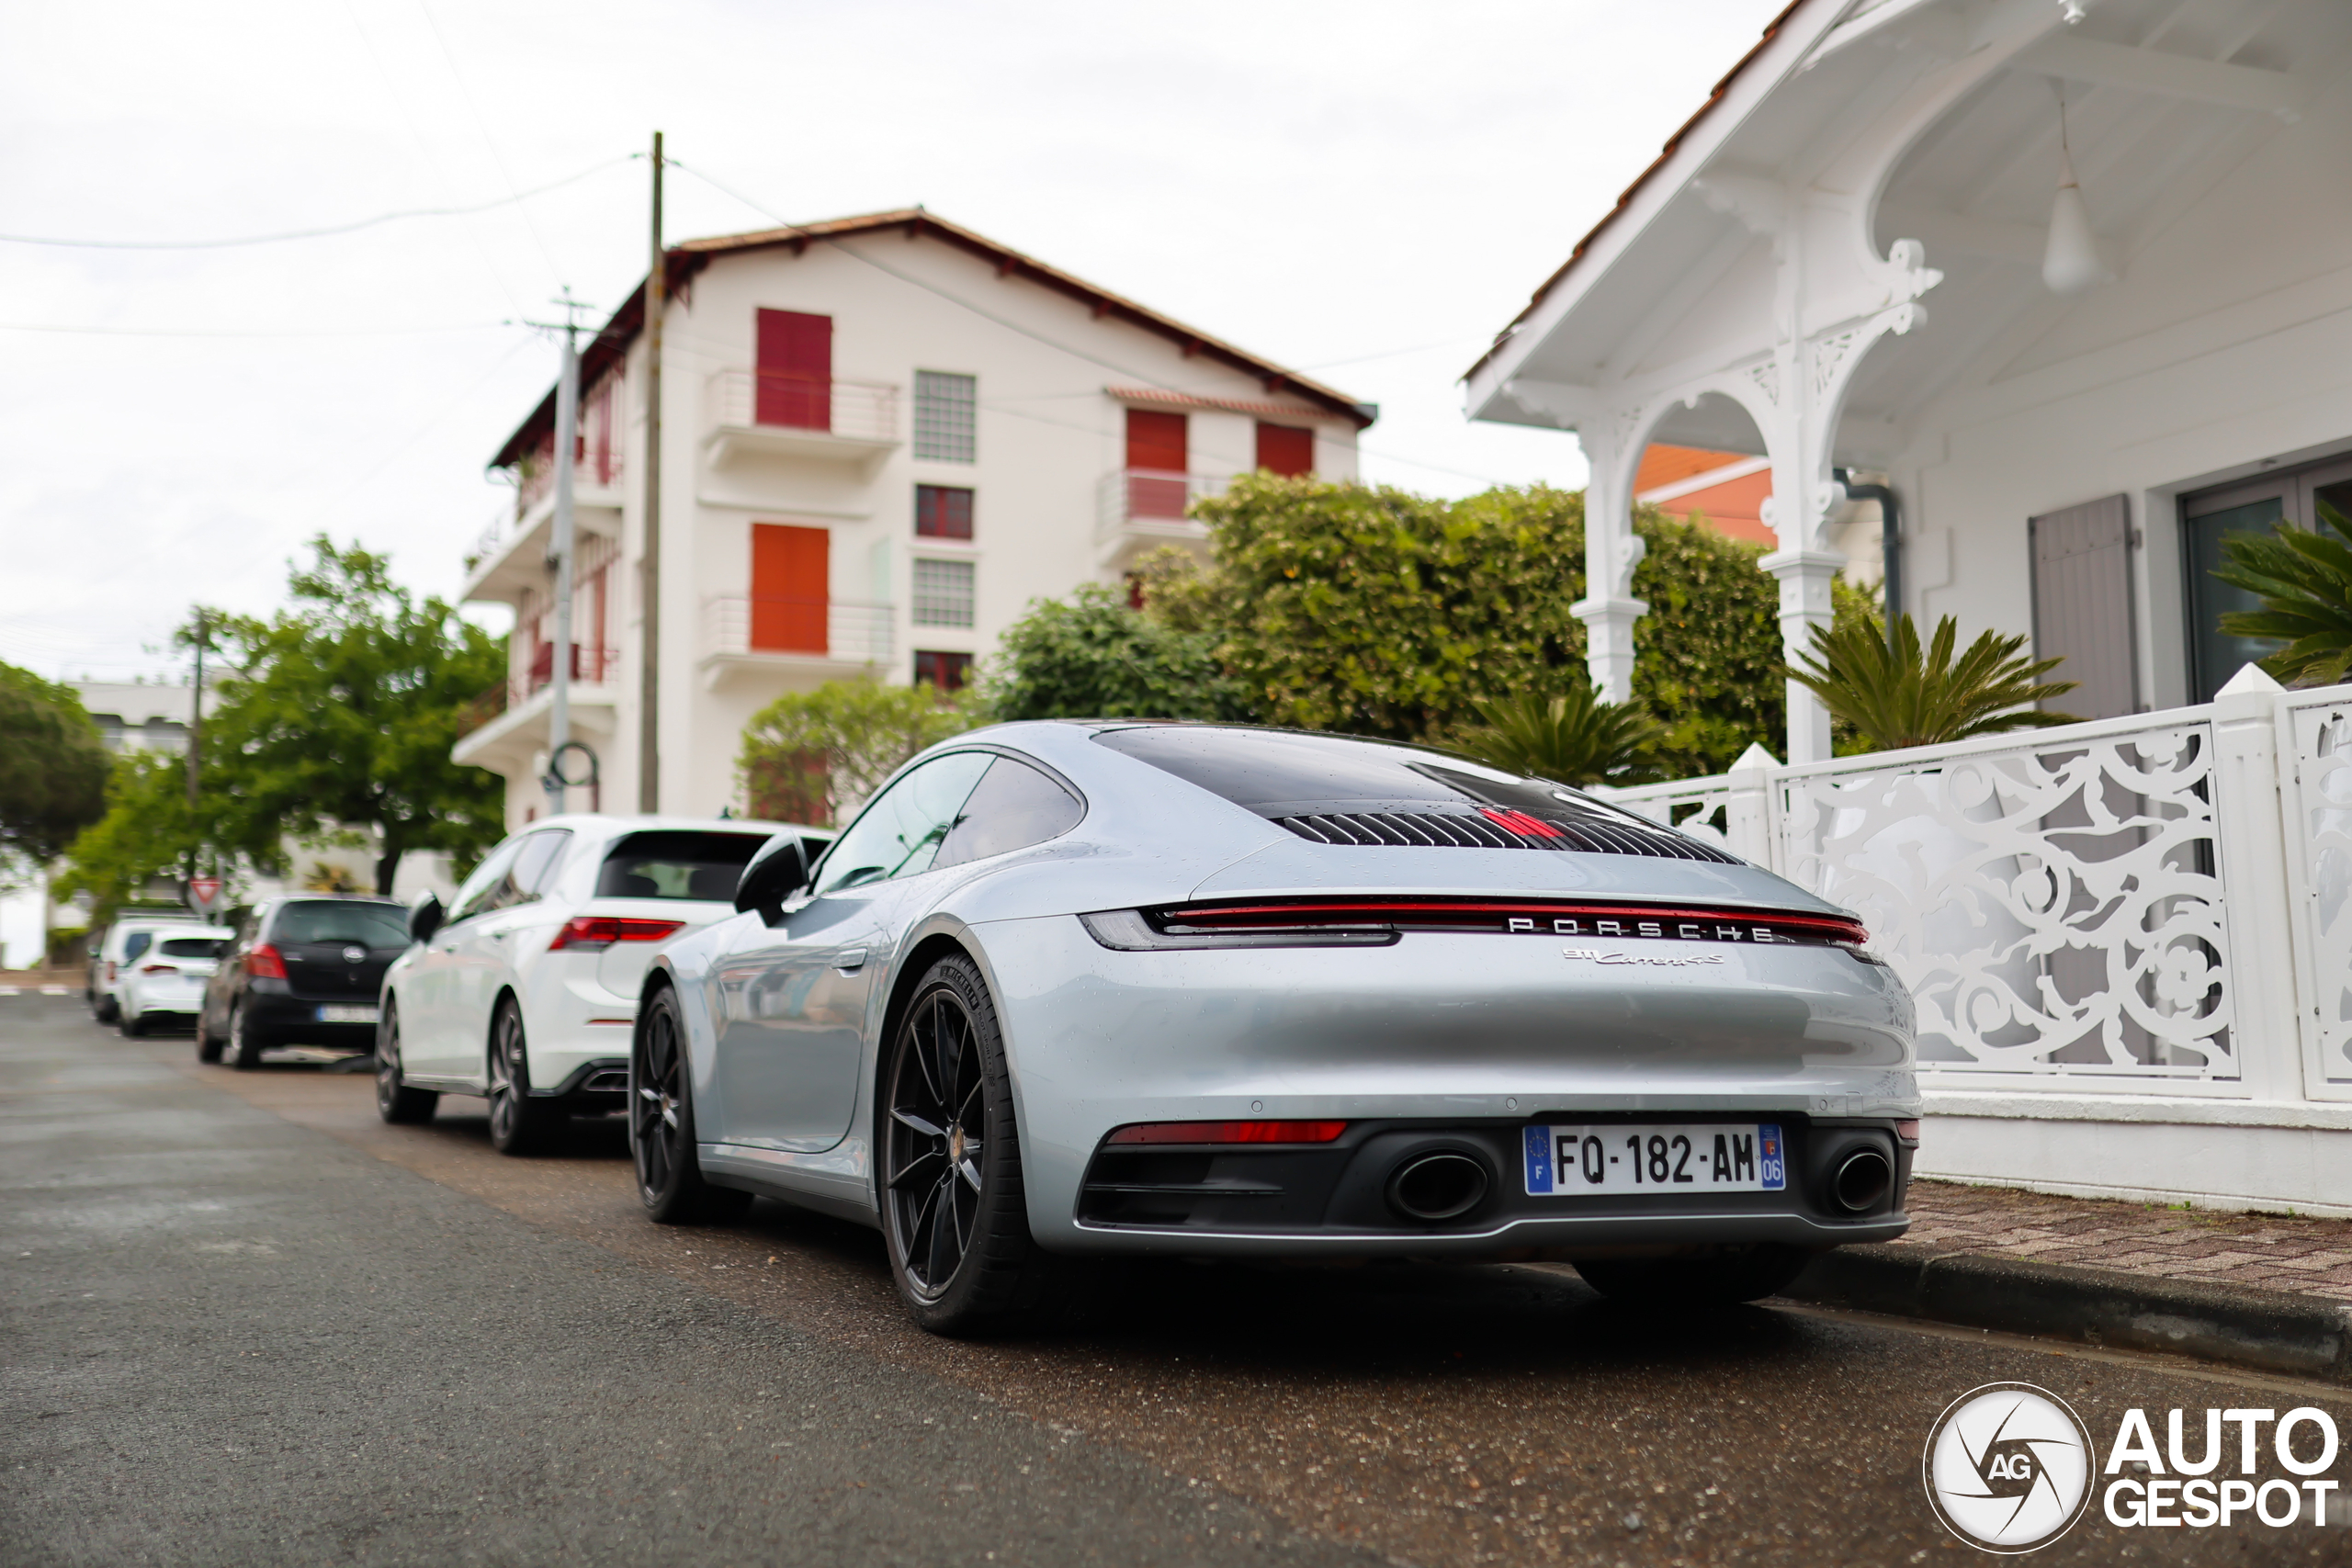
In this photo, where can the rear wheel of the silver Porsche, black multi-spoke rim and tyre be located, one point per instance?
(954, 1207)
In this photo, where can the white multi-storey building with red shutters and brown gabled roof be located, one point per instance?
(881, 441)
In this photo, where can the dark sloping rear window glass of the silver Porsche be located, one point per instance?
(1283, 775)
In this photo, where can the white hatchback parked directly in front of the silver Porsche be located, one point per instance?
(526, 991)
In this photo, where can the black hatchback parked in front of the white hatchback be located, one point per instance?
(305, 972)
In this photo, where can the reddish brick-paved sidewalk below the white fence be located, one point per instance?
(2238, 1249)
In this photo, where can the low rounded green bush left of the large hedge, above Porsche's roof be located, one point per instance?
(1097, 659)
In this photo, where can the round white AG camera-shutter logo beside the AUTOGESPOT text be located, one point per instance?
(2010, 1468)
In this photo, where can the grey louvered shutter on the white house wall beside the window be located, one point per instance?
(2083, 605)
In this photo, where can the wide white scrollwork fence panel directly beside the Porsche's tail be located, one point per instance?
(2054, 904)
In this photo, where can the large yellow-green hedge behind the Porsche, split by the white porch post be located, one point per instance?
(1379, 612)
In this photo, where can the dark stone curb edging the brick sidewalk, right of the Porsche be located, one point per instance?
(2271, 1332)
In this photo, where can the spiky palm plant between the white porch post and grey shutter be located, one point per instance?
(1897, 697)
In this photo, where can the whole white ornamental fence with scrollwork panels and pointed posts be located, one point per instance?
(2146, 906)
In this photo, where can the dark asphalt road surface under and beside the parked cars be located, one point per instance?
(250, 1325)
